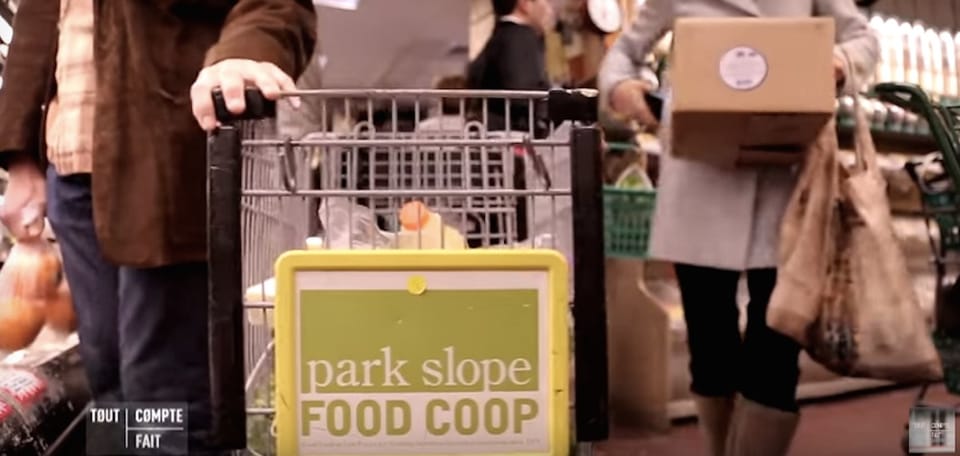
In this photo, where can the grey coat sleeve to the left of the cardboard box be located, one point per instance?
(625, 59)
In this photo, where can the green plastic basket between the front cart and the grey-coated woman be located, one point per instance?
(626, 219)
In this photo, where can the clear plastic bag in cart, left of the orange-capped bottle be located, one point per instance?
(348, 225)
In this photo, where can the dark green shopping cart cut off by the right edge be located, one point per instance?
(939, 187)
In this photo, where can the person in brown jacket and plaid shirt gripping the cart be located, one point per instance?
(103, 113)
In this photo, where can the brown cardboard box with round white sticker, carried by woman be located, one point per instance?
(750, 91)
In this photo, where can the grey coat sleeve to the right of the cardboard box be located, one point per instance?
(857, 45)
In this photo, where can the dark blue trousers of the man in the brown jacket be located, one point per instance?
(143, 332)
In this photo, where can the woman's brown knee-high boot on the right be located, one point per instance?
(757, 430)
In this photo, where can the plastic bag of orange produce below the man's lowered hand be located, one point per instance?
(33, 292)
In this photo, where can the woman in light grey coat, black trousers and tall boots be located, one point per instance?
(715, 224)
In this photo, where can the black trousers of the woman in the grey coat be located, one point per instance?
(763, 364)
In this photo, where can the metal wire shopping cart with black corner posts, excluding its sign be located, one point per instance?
(503, 169)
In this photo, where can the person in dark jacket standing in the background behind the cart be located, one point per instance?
(514, 59)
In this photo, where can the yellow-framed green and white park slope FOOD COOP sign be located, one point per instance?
(420, 361)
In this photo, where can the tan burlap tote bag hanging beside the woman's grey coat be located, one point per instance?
(862, 319)
